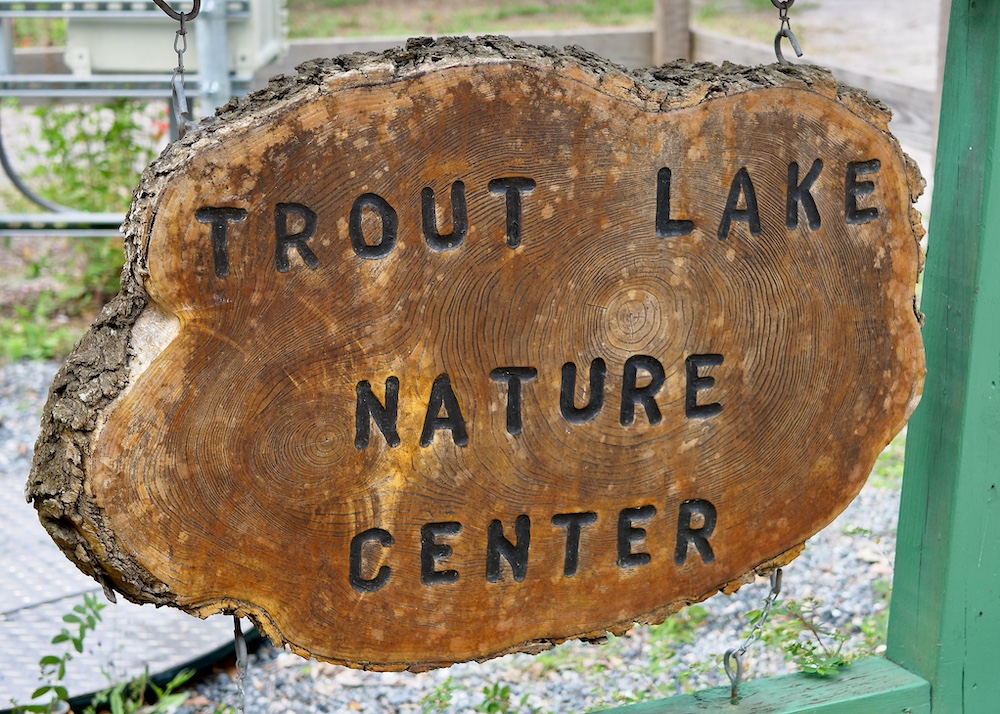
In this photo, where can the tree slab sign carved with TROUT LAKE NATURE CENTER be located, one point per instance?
(472, 347)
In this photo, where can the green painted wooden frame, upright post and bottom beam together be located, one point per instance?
(944, 627)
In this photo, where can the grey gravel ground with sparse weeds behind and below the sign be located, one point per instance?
(847, 572)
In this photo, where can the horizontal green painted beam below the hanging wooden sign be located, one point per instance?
(872, 686)
